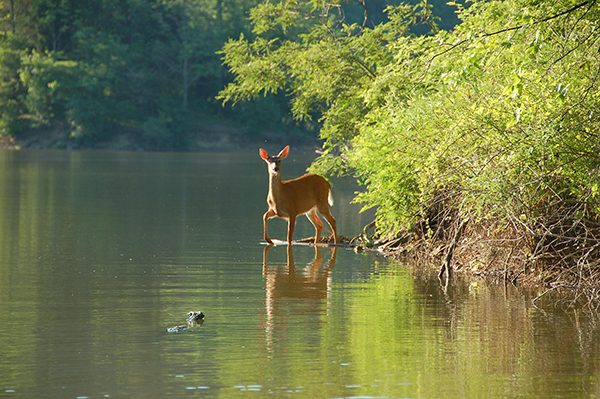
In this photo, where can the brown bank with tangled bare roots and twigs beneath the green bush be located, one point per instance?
(482, 250)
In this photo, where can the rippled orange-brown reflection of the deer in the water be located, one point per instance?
(285, 283)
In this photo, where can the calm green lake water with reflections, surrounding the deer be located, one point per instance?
(101, 252)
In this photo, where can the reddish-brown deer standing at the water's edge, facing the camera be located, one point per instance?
(301, 196)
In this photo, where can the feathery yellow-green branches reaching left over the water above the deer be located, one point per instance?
(325, 67)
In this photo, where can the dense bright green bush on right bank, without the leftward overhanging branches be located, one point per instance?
(496, 130)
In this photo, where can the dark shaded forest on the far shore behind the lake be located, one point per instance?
(150, 69)
